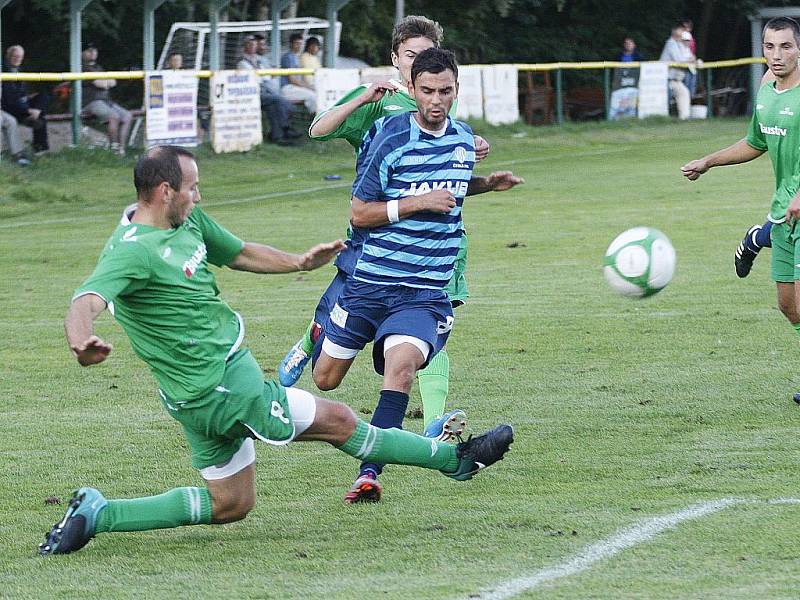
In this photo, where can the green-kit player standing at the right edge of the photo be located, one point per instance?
(775, 128)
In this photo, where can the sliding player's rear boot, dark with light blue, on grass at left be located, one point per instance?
(77, 527)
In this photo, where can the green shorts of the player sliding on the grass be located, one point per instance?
(242, 406)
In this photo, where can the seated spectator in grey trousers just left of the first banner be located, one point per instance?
(97, 101)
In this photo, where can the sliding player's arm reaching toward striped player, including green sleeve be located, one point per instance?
(225, 249)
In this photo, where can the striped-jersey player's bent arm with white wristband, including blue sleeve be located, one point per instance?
(369, 206)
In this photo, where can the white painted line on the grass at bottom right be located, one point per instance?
(626, 538)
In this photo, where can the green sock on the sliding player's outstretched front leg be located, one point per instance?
(399, 447)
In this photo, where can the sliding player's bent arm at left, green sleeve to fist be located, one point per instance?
(120, 270)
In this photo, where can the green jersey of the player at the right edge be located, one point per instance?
(775, 127)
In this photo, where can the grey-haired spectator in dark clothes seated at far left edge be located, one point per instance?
(28, 109)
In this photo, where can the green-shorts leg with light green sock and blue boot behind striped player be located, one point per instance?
(434, 379)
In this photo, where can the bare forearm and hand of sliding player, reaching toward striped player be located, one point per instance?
(258, 258)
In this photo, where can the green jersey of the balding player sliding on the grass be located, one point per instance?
(159, 288)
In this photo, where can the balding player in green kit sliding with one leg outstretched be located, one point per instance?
(154, 272)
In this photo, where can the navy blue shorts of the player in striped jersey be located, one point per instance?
(366, 312)
